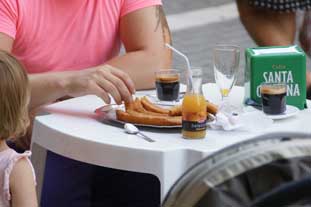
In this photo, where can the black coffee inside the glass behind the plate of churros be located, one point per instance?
(167, 90)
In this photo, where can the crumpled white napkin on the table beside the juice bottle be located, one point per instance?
(226, 121)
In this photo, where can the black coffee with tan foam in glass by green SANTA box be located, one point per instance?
(273, 100)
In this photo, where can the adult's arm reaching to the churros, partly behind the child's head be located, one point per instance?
(100, 81)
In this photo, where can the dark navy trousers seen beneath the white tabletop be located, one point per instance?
(69, 183)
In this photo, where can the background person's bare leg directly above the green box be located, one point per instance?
(267, 27)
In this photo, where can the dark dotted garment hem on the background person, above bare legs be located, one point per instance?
(282, 5)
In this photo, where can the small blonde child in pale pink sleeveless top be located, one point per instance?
(17, 180)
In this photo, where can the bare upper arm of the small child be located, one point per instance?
(22, 185)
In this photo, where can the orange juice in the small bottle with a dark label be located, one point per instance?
(194, 116)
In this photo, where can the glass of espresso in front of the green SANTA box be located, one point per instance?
(273, 96)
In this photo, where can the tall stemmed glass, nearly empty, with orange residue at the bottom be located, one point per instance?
(226, 65)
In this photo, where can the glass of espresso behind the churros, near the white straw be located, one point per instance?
(167, 85)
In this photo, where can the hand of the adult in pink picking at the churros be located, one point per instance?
(100, 81)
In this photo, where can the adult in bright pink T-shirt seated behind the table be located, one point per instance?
(71, 48)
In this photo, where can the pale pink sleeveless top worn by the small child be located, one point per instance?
(8, 158)
